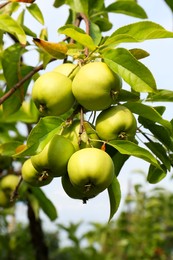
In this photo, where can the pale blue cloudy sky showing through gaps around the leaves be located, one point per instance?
(159, 62)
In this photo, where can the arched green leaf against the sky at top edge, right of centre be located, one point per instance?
(128, 8)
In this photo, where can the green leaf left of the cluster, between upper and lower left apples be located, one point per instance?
(40, 135)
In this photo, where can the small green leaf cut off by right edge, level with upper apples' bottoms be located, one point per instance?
(161, 95)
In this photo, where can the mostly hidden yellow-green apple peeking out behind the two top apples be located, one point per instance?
(67, 69)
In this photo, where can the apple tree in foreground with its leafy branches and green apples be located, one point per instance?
(100, 98)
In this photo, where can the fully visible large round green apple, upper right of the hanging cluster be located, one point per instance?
(95, 85)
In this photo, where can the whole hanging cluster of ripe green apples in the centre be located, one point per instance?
(77, 155)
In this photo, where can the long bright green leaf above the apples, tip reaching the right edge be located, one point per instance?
(138, 32)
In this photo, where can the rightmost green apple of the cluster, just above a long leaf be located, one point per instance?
(116, 123)
